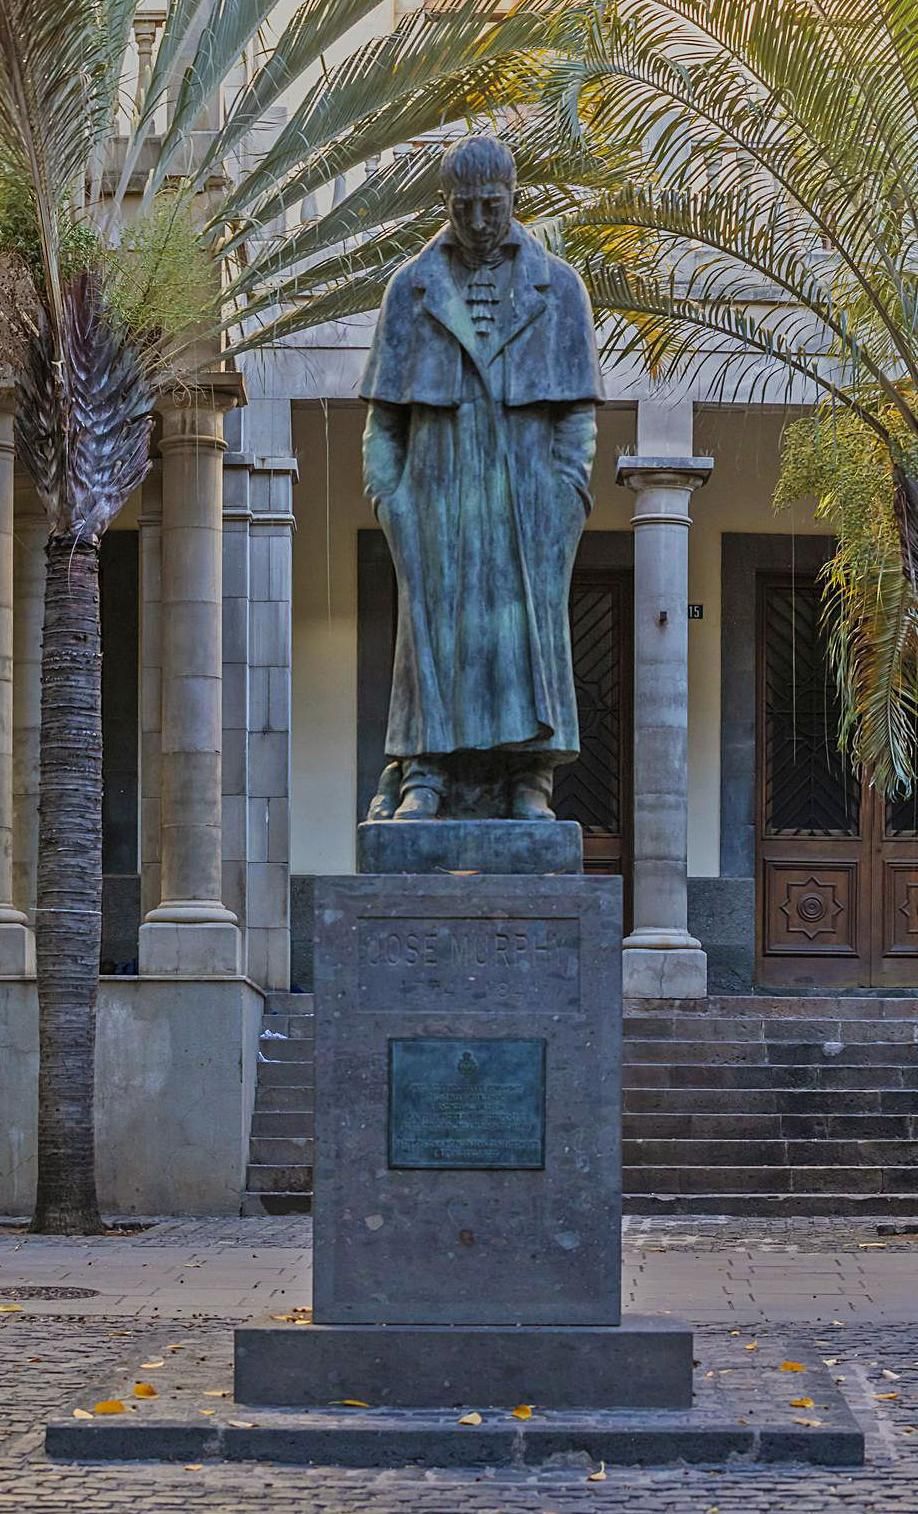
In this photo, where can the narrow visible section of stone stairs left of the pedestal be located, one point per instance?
(279, 1179)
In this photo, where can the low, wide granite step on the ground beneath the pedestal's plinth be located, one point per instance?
(740, 1410)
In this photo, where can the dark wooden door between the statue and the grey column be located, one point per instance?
(598, 790)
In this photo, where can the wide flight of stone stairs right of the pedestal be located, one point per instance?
(772, 1106)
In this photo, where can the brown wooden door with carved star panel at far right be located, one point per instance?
(838, 871)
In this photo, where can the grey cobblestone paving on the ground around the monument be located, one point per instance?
(49, 1359)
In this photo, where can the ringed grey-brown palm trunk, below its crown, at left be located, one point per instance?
(69, 923)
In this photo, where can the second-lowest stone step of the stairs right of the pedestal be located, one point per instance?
(770, 1180)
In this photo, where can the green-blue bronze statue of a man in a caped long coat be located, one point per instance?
(482, 387)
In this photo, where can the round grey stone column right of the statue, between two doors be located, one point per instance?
(661, 961)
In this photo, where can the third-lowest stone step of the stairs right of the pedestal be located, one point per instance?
(663, 1151)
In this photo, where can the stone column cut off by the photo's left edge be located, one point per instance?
(17, 947)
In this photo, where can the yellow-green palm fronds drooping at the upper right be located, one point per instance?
(770, 232)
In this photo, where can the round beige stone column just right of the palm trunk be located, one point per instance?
(192, 932)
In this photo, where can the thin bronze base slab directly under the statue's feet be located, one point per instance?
(493, 847)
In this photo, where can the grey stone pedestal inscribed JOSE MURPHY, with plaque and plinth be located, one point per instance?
(469, 1153)
